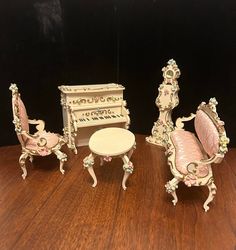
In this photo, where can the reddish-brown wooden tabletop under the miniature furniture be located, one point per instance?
(49, 210)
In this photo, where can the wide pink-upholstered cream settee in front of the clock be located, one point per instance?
(190, 158)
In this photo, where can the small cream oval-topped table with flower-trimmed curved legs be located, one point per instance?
(108, 143)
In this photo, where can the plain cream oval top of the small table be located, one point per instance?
(111, 141)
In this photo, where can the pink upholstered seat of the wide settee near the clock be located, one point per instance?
(188, 149)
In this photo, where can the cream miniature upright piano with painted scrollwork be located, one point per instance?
(88, 108)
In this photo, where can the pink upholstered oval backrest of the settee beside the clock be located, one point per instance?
(207, 132)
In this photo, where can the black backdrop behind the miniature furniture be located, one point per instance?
(47, 43)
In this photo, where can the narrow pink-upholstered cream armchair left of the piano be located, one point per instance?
(41, 143)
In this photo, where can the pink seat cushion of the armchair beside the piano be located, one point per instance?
(51, 139)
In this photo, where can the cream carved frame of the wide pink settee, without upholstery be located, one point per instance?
(192, 178)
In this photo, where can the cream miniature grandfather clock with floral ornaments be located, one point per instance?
(166, 101)
